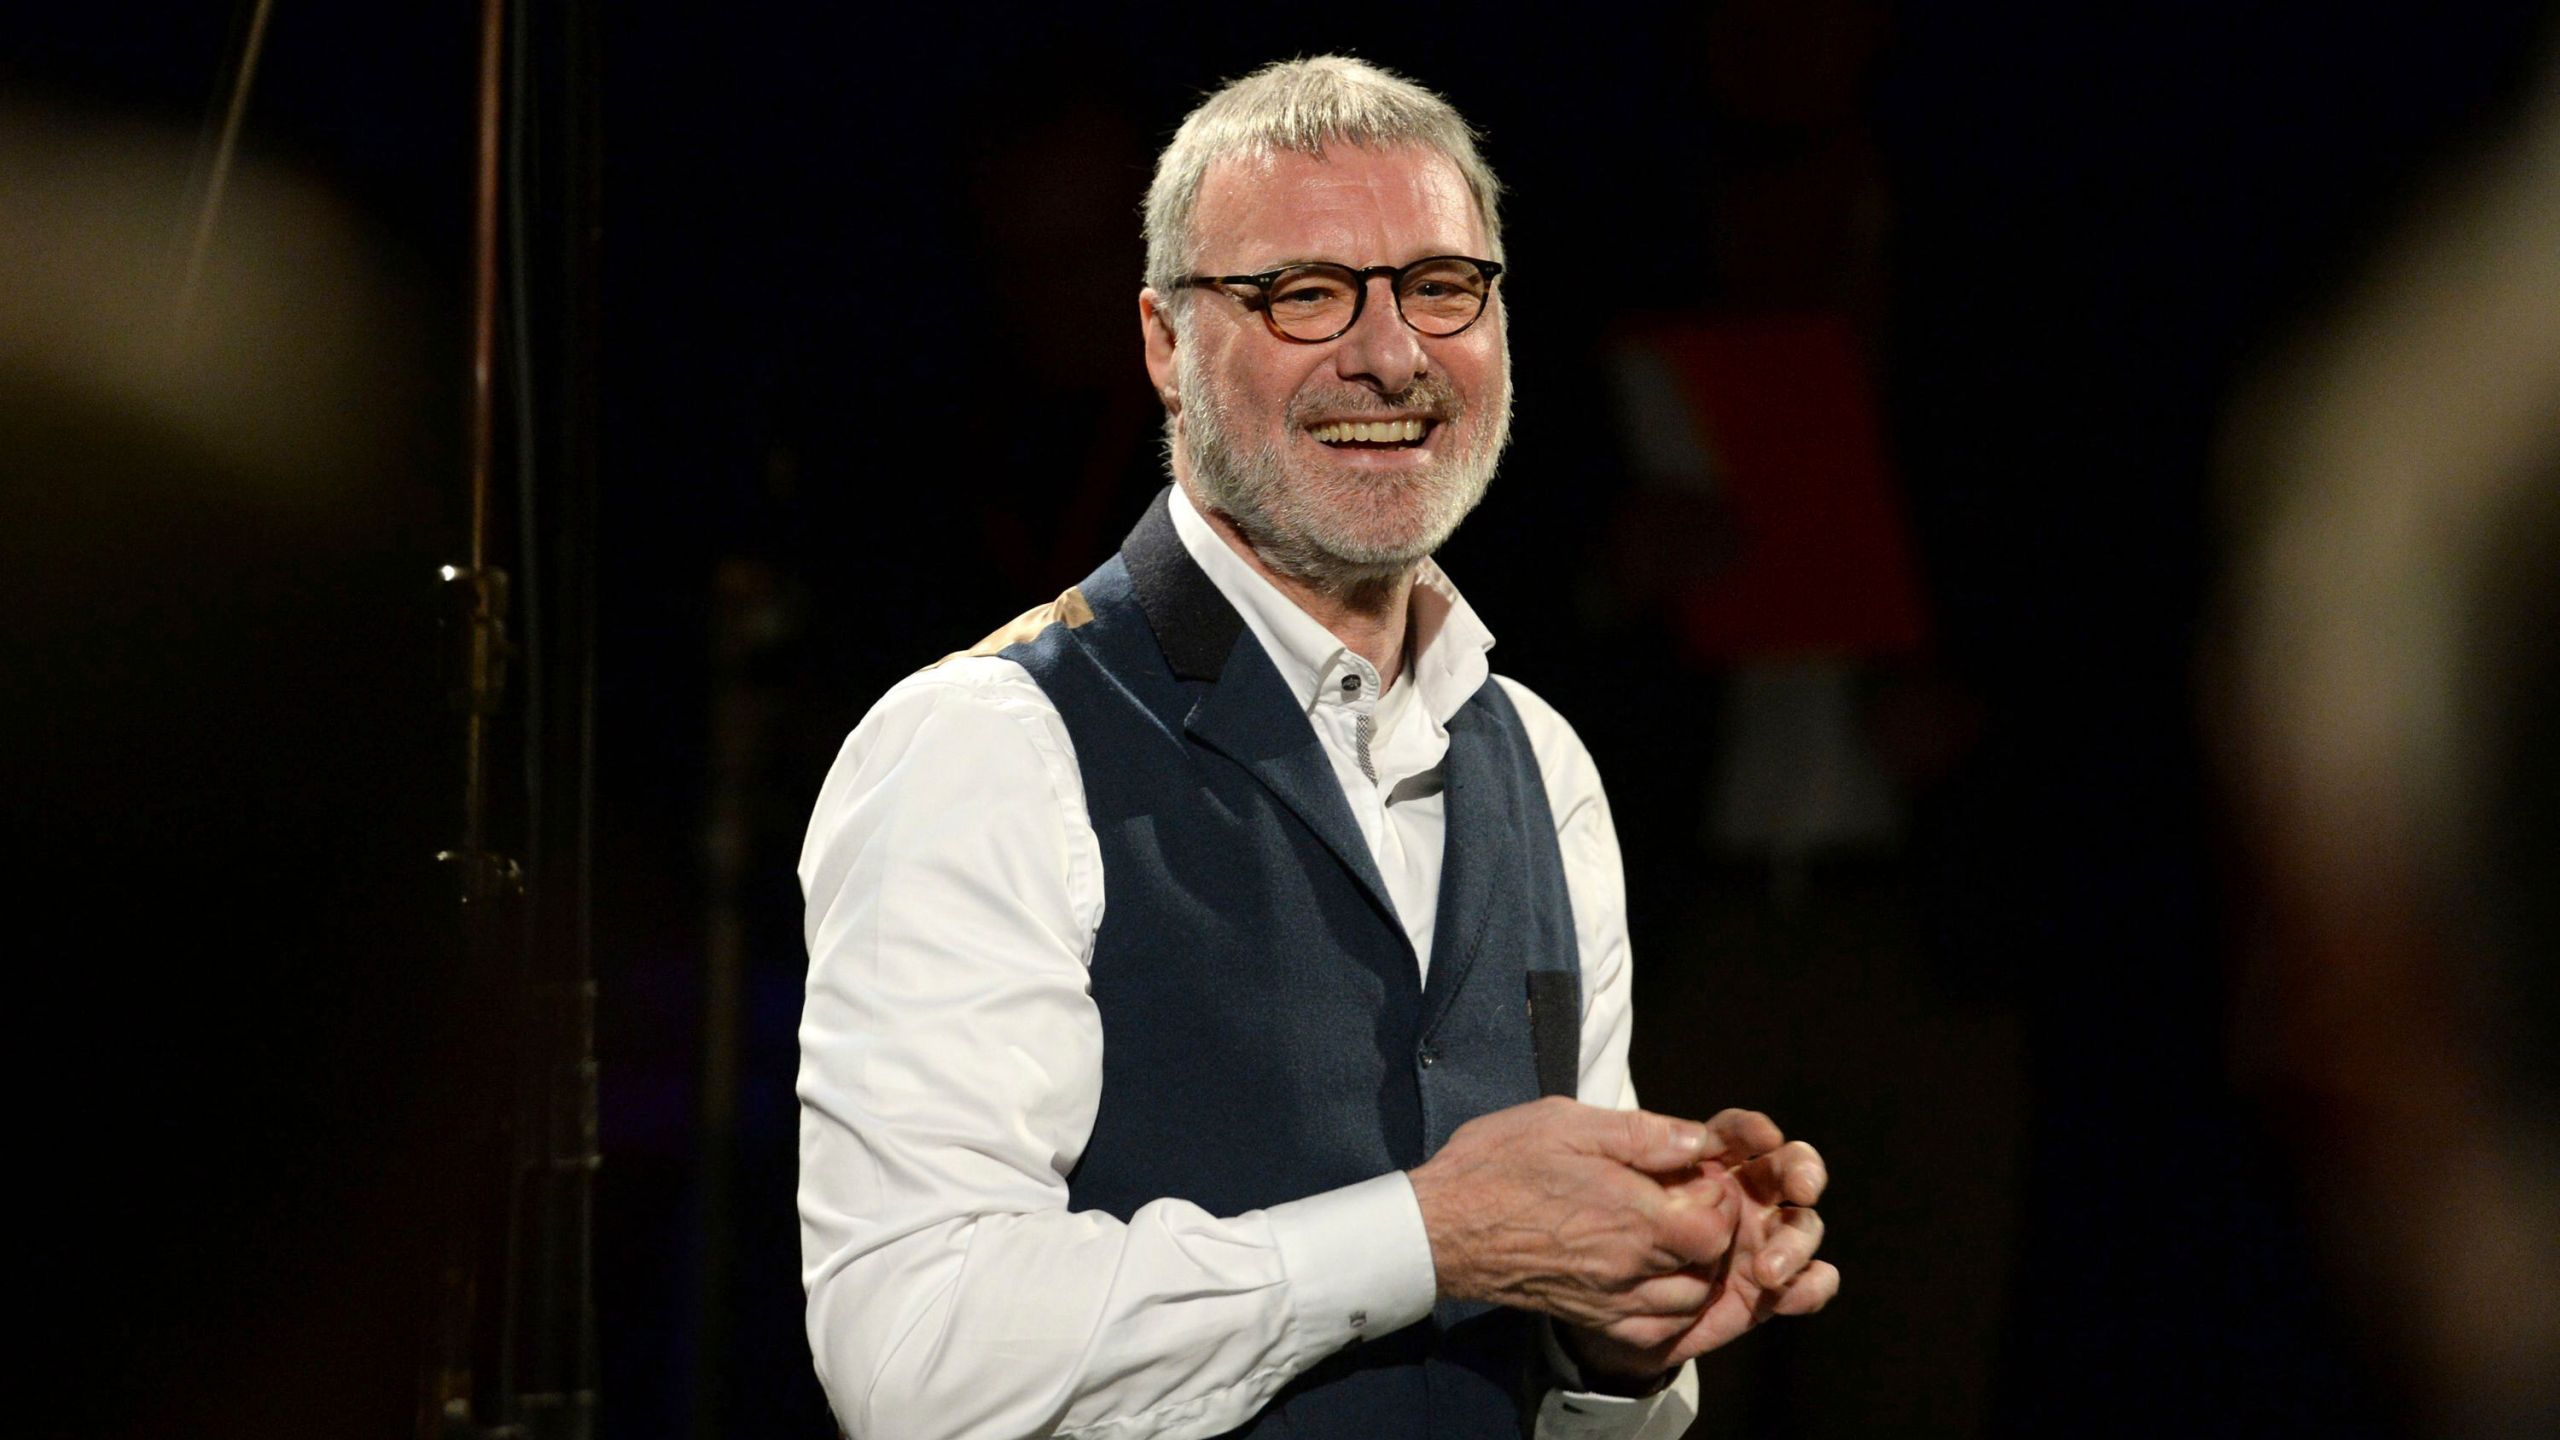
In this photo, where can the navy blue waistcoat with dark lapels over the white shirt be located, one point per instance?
(1266, 1026)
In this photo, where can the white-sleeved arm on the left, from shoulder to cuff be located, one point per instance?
(951, 1067)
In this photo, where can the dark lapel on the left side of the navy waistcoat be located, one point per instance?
(1245, 708)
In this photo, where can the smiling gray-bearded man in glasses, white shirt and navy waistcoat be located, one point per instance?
(1220, 985)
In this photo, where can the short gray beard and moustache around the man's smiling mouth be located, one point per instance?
(1307, 527)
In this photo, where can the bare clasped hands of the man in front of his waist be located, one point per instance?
(1650, 1239)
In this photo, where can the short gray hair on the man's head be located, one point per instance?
(1299, 106)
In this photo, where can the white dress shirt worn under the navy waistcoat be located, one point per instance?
(951, 1062)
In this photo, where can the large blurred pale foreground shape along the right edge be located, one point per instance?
(2392, 716)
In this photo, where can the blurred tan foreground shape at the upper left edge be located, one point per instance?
(278, 373)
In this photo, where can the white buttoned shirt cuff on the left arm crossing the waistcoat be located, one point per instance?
(1358, 1262)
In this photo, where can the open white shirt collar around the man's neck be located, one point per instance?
(1445, 655)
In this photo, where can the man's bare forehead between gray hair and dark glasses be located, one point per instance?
(1356, 206)
